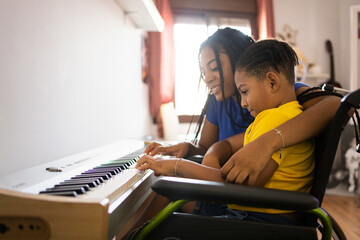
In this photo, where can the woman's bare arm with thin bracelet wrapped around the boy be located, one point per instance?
(317, 114)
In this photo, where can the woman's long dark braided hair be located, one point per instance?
(233, 43)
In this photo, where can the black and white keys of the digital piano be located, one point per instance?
(93, 178)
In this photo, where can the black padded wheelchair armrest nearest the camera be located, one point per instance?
(193, 189)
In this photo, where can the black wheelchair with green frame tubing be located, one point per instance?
(172, 225)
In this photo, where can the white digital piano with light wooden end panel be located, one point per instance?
(105, 193)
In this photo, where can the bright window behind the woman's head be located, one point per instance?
(189, 32)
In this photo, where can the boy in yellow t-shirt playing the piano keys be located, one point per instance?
(264, 77)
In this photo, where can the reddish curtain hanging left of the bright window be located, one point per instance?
(161, 76)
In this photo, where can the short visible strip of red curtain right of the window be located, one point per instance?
(265, 19)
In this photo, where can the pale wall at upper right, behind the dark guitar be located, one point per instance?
(316, 21)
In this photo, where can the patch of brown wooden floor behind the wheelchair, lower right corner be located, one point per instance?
(346, 212)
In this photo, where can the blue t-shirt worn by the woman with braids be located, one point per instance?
(216, 114)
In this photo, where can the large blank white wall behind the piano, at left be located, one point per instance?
(70, 80)
